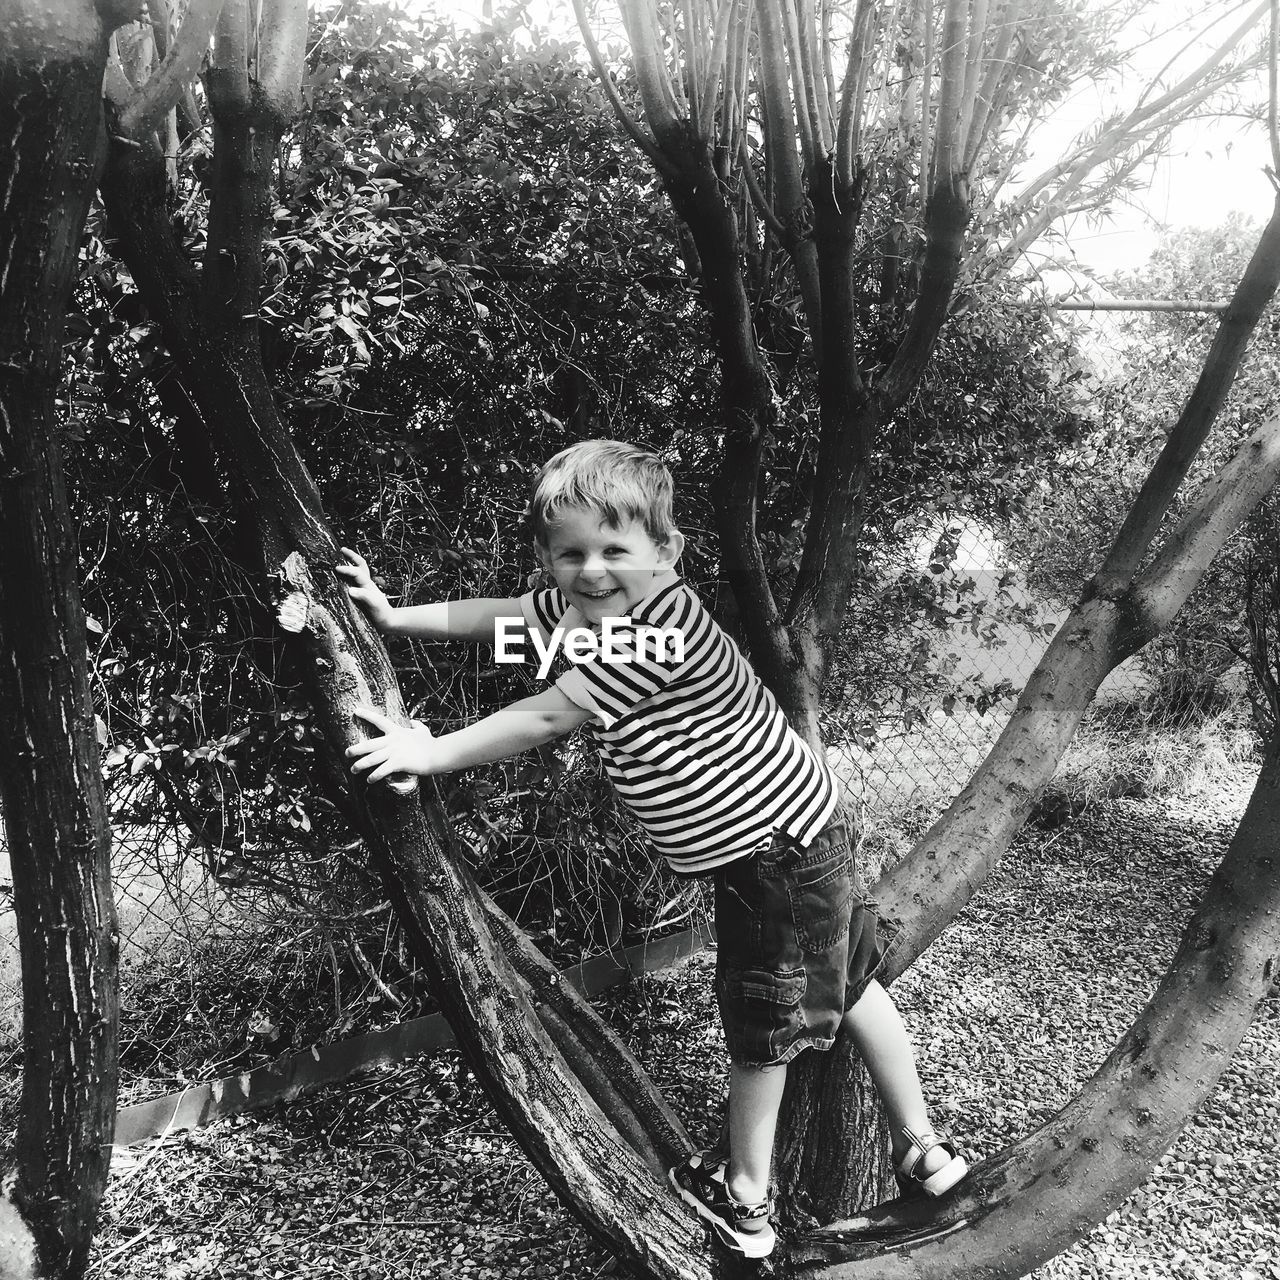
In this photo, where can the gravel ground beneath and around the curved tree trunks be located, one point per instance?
(406, 1173)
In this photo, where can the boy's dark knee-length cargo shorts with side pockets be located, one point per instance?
(798, 941)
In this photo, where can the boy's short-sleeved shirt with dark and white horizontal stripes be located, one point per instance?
(692, 739)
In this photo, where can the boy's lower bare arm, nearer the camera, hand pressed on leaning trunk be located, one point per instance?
(515, 729)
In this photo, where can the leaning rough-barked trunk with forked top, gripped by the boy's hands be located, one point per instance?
(561, 1081)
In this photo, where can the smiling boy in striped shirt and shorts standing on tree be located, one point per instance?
(701, 753)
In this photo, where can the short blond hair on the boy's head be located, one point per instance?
(621, 482)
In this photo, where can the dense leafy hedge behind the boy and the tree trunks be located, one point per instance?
(469, 271)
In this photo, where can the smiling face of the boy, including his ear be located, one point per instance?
(604, 570)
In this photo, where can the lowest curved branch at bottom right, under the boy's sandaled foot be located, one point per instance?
(1031, 1201)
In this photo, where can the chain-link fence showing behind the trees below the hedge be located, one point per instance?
(179, 924)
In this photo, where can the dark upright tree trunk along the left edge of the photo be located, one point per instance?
(52, 61)
